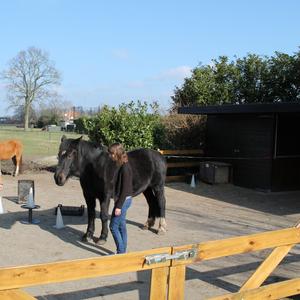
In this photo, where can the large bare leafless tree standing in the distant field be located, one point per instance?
(30, 77)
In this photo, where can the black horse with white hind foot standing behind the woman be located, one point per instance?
(97, 173)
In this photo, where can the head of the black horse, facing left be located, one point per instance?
(67, 160)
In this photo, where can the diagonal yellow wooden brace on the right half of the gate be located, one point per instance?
(266, 268)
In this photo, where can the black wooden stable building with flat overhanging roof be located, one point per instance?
(260, 141)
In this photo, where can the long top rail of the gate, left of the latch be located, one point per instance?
(16, 277)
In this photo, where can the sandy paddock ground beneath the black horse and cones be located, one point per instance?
(207, 212)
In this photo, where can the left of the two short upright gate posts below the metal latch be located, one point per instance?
(158, 284)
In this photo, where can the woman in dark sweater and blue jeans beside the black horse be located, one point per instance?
(123, 199)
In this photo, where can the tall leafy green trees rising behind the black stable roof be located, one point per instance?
(251, 79)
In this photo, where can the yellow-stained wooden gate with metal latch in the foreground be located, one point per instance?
(168, 267)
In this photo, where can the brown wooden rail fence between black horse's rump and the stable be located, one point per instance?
(187, 160)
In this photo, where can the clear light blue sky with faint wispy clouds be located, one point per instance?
(110, 52)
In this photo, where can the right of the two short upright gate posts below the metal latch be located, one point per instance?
(176, 283)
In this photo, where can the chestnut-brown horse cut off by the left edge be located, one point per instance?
(12, 149)
